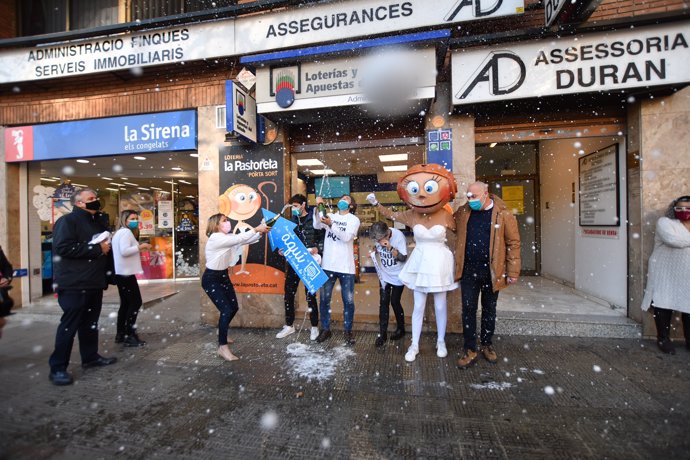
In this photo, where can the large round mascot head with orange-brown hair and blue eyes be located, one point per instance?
(427, 188)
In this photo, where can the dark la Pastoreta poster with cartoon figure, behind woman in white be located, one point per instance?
(251, 178)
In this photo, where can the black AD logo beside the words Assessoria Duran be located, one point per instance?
(504, 72)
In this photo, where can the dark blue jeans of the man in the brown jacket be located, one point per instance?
(471, 286)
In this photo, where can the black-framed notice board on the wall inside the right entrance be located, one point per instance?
(599, 182)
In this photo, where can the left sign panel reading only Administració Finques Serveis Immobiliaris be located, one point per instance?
(118, 52)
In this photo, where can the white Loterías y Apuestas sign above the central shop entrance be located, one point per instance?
(341, 82)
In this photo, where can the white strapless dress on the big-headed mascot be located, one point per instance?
(430, 266)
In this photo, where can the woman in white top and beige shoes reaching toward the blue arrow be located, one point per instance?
(223, 251)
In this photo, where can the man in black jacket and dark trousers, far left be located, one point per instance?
(80, 277)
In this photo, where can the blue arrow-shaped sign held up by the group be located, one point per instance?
(282, 236)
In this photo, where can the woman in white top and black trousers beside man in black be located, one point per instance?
(126, 251)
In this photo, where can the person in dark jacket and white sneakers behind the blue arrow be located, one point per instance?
(313, 241)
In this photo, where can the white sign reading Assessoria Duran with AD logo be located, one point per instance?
(639, 57)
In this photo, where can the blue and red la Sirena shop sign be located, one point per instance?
(153, 132)
